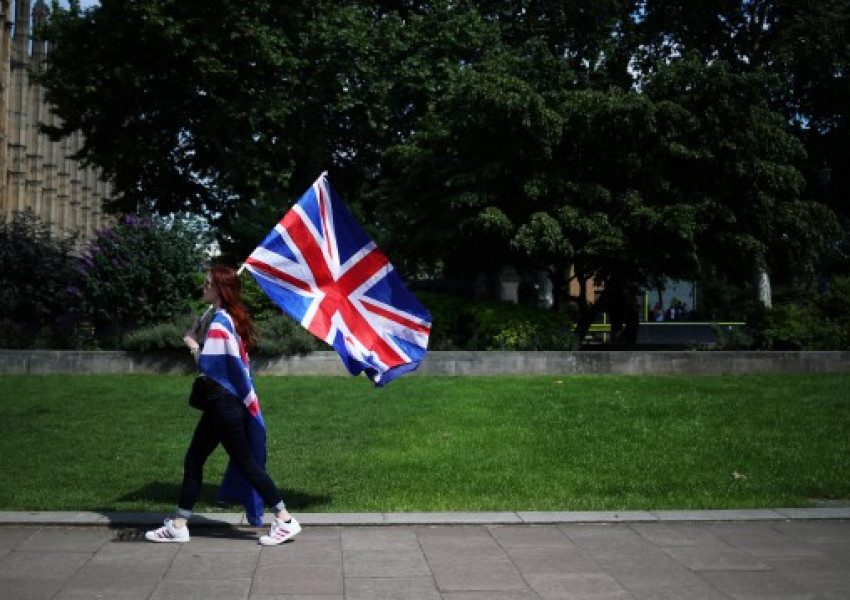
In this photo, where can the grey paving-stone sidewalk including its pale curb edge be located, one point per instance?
(769, 555)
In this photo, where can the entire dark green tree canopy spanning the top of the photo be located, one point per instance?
(627, 140)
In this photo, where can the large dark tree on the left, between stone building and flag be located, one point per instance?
(232, 109)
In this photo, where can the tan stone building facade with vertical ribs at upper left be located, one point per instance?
(35, 173)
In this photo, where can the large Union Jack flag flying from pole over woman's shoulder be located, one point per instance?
(322, 269)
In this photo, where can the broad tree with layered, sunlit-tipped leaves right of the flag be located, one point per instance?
(522, 161)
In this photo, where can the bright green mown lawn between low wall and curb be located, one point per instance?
(107, 443)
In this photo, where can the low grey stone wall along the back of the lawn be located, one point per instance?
(43, 362)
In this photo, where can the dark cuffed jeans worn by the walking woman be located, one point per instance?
(225, 422)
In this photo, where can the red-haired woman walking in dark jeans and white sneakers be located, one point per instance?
(230, 404)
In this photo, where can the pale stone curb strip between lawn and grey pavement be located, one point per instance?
(113, 519)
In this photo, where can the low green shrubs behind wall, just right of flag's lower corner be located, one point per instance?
(463, 325)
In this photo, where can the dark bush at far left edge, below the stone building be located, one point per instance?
(38, 293)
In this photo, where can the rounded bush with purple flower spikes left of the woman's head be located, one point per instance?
(139, 273)
